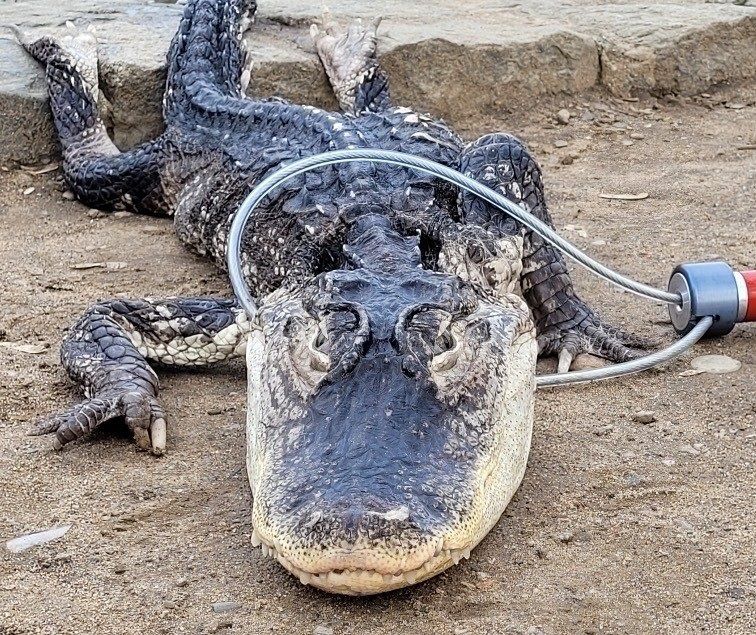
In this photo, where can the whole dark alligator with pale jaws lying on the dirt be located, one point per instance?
(391, 364)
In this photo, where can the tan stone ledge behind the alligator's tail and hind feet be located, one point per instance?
(454, 62)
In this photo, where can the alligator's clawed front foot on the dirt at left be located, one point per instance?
(140, 411)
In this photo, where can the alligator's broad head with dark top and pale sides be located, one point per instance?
(389, 418)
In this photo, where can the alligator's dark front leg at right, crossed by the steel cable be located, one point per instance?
(565, 324)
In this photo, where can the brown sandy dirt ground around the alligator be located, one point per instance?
(619, 527)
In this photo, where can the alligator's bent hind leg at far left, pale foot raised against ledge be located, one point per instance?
(97, 172)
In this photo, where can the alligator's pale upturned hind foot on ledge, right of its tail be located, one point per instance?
(348, 55)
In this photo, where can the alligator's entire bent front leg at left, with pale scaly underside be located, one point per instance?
(107, 353)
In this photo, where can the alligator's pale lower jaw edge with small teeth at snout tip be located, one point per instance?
(365, 581)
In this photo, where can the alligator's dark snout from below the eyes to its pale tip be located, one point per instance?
(362, 507)
